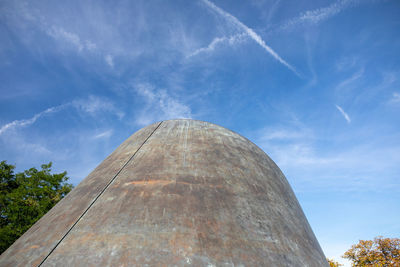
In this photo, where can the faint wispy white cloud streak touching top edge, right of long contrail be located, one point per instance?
(317, 15)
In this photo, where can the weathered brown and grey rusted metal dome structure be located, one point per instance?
(193, 194)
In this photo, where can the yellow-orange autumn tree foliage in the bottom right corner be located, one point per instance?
(378, 252)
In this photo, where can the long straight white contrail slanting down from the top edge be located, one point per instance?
(250, 32)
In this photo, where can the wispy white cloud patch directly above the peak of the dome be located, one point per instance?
(159, 105)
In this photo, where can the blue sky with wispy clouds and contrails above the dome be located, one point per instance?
(315, 84)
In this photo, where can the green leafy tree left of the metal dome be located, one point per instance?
(25, 197)
